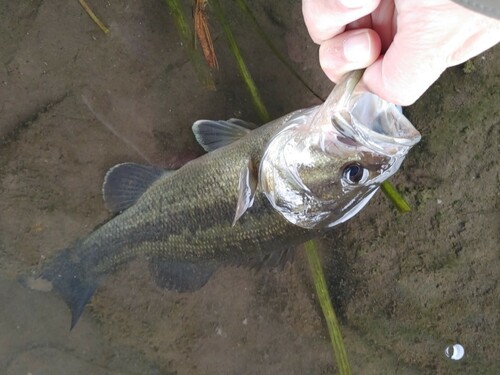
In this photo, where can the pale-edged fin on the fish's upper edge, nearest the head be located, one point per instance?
(212, 134)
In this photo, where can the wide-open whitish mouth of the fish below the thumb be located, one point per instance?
(376, 123)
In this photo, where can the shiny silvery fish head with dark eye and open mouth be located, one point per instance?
(327, 162)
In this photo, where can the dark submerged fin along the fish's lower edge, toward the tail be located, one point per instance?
(181, 276)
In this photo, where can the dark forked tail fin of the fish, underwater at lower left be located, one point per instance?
(71, 279)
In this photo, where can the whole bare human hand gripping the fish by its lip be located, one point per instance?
(404, 45)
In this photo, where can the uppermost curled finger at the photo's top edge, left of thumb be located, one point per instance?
(326, 18)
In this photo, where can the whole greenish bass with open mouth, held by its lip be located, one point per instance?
(249, 201)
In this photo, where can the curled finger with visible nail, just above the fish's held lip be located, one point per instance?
(351, 50)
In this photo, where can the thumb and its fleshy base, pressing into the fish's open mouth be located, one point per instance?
(424, 46)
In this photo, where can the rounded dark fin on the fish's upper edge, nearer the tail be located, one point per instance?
(125, 183)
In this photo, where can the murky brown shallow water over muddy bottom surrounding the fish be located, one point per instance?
(74, 102)
